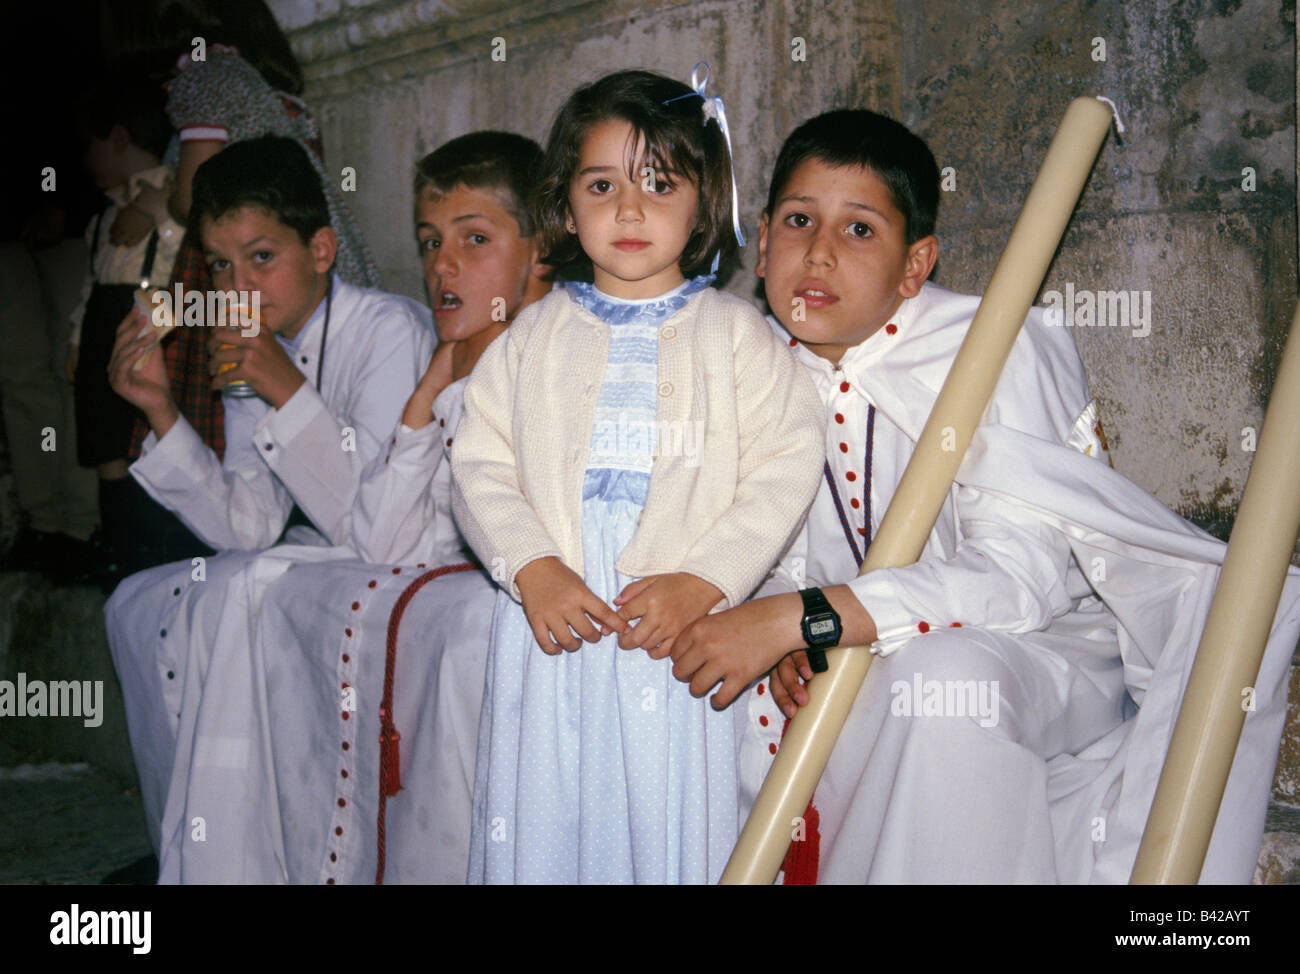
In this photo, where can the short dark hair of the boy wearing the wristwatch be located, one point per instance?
(857, 137)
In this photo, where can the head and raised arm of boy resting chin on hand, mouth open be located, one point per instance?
(475, 236)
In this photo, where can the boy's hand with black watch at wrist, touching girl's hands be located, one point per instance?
(738, 647)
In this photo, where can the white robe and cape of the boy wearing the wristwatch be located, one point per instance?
(1080, 595)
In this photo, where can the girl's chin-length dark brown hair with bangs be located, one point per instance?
(677, 138)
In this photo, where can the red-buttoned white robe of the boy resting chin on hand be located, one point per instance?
(328, 625)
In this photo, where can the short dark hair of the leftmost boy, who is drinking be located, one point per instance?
(270, 174)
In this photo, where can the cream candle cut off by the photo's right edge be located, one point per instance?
(1232, 648)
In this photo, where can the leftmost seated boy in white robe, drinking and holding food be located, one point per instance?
(330, 367)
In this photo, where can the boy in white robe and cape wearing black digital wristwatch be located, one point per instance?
(995, 741)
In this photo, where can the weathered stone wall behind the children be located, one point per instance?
(1206, 89)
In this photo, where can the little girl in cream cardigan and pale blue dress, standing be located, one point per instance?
(644, 440)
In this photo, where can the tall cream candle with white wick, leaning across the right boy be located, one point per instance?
(928, 480)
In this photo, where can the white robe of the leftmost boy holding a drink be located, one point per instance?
(181, 634)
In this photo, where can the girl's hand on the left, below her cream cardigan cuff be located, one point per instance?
(557, 601)
